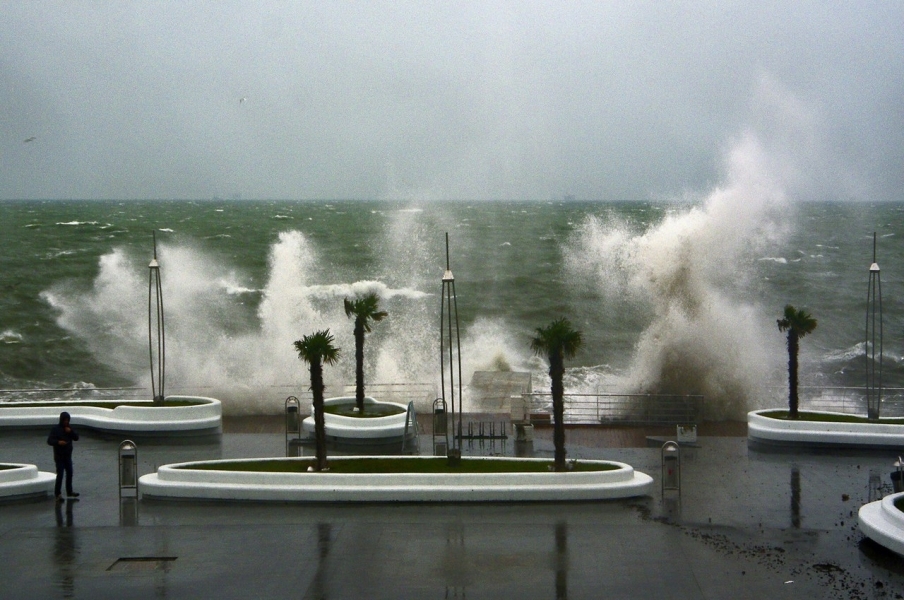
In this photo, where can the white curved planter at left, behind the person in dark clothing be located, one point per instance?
(204, 417)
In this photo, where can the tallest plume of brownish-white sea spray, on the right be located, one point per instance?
(694, 271)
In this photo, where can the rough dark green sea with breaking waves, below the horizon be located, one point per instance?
(679, 298)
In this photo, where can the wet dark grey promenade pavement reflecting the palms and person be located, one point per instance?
(747, 524)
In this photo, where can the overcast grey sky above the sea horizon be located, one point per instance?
(445, 100)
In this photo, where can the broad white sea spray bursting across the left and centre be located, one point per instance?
(229, 339)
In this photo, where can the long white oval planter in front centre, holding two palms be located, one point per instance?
(181, 481)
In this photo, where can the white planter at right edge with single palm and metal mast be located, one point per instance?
(787, 432)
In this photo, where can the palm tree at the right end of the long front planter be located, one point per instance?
(557, 341)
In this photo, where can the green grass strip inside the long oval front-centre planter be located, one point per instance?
(391, 465)
